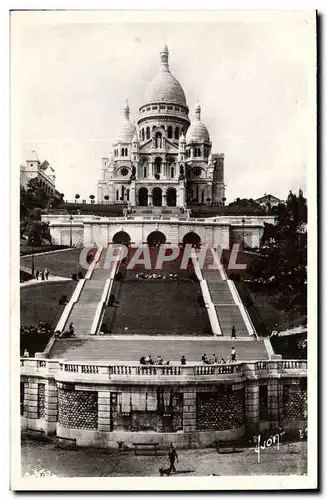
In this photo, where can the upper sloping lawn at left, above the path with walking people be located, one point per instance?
(63, 263)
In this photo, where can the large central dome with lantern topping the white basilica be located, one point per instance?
(165, 87)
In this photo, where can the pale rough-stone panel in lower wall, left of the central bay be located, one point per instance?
(78, 409)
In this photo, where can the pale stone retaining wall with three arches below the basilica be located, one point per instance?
(223, 231)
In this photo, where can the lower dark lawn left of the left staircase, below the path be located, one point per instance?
(40, 302)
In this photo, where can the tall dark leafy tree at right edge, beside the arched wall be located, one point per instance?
(285, 247)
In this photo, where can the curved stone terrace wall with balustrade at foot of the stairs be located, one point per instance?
(192, 406)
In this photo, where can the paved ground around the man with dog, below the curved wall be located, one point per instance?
(87, 462)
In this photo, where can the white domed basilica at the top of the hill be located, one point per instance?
(163, 160)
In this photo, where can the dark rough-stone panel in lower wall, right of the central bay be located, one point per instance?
(219, 410)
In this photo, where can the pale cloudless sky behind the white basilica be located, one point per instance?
(72, 73)
